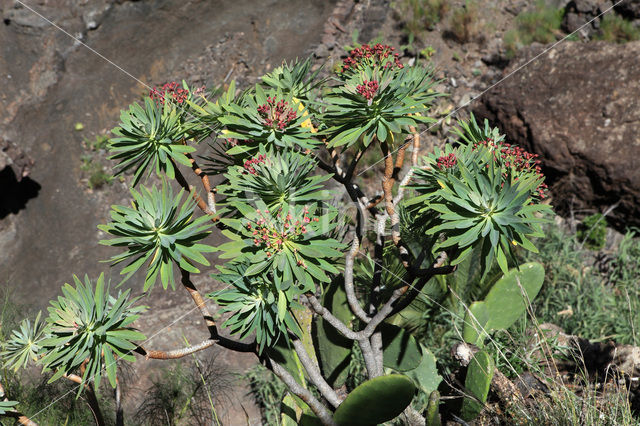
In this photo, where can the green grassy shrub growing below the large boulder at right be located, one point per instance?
(581, 299)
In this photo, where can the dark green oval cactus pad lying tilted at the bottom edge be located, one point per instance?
(376, 401)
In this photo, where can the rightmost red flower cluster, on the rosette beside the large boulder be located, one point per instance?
(517, 161)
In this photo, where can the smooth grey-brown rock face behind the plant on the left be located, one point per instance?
(100, 56)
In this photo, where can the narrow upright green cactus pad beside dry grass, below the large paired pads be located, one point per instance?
(479, 375)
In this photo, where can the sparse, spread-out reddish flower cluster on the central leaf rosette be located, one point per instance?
(272, 233)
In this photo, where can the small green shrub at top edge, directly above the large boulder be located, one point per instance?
(541, 25)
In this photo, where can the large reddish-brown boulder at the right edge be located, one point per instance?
(578, 107)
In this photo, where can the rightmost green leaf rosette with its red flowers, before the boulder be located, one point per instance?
(484, 194)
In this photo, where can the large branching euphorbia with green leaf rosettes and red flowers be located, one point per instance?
(300, 268)
